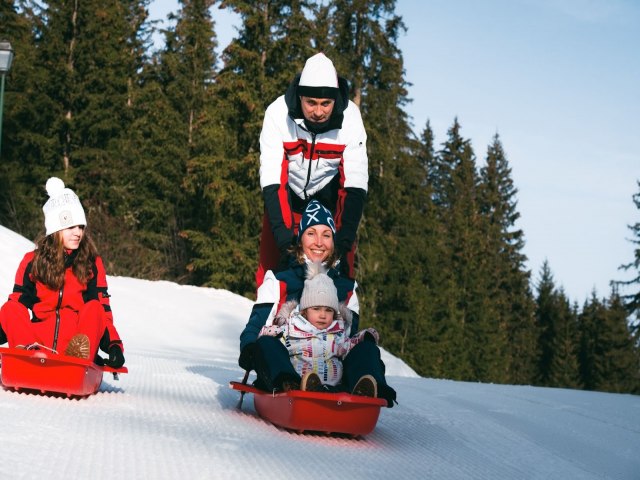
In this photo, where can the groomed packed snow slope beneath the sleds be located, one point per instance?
(174, 416)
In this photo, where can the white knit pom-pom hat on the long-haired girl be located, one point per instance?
(63, 209)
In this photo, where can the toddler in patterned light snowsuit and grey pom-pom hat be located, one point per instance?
(316, 331)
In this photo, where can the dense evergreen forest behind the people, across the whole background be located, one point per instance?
(162, 146)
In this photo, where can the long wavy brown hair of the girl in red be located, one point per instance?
(49, 260)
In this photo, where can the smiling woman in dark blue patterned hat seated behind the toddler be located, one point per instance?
(267, 355)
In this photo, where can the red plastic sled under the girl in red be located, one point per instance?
(50, 372)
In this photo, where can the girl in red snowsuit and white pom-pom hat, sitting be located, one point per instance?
(60, 300)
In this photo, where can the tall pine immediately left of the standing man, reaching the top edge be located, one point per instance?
(223, 181)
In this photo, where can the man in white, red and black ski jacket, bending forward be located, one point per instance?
(312, 146)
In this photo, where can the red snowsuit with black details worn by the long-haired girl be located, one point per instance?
(77, 308)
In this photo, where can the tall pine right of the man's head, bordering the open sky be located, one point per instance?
(364, 37)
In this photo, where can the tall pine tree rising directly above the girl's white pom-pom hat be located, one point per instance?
(90, 50)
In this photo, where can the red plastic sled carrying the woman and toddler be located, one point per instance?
(316, 411)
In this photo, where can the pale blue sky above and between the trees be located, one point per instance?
(558, 80)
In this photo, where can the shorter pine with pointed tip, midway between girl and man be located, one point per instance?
(155, 200)
